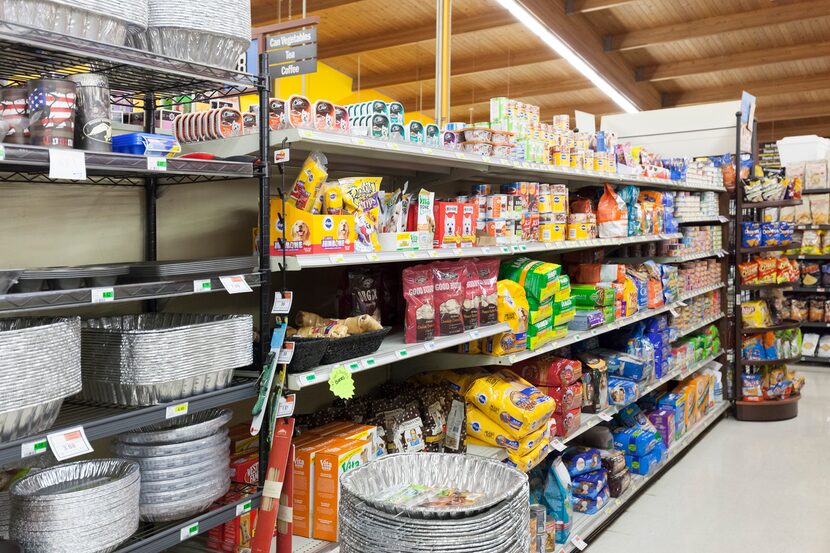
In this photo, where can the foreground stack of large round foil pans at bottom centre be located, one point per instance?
(489, 514)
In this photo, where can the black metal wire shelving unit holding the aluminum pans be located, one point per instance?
(139, 79)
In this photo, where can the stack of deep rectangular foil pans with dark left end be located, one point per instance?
(146, 359)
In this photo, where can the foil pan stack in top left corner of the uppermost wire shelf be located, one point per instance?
(99, 20)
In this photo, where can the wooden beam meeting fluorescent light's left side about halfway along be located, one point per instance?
(460, 67)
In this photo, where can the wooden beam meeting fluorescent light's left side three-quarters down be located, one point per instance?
(516, 90)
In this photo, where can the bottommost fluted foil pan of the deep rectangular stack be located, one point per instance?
(135, 395)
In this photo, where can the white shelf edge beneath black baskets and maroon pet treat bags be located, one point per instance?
(392, 349)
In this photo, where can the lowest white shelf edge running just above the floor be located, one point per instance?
(585, 525)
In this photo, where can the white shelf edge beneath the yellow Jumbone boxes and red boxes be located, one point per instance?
(309, 261)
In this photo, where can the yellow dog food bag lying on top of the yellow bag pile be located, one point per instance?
(511, 402)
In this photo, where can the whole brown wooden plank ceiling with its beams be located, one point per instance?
(659, 53)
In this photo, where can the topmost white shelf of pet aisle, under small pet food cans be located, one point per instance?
(357, 153)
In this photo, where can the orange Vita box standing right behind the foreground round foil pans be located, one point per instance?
(330, 463)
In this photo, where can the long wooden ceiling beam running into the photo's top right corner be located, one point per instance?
(719, 24)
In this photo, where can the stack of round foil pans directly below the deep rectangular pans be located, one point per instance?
(184, 463)
